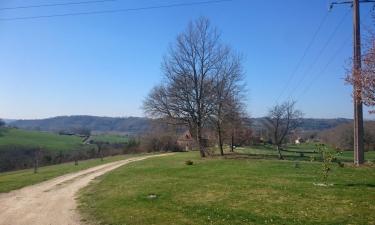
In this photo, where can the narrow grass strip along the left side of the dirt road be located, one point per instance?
(21, 178)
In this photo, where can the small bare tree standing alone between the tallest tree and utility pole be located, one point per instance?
(282, 120)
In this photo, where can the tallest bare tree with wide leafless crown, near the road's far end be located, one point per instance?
(187, 94)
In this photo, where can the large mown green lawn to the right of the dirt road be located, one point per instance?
(231, 191)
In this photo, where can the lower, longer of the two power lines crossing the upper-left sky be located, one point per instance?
(115, 10)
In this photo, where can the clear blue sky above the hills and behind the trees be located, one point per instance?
(106, 64)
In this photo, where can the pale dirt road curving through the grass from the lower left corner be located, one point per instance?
(52, 202)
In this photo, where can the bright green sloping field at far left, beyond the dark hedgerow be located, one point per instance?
(47, 141)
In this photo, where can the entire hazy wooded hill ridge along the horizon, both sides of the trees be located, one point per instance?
(140, 125)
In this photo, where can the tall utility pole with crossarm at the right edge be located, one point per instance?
(359, 153)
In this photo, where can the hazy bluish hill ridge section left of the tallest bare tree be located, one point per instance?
(128, 125)
